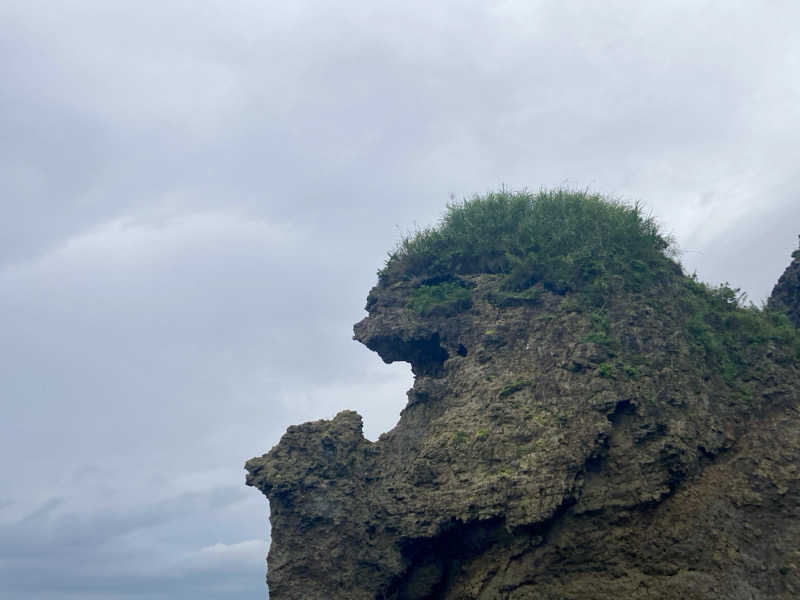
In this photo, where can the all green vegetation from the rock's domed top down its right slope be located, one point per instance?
(598, 253)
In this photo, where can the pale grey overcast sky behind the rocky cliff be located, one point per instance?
(197, 195)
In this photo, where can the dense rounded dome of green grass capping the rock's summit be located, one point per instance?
(569, 241)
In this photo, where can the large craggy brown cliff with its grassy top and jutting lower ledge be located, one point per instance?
(570, 433)
